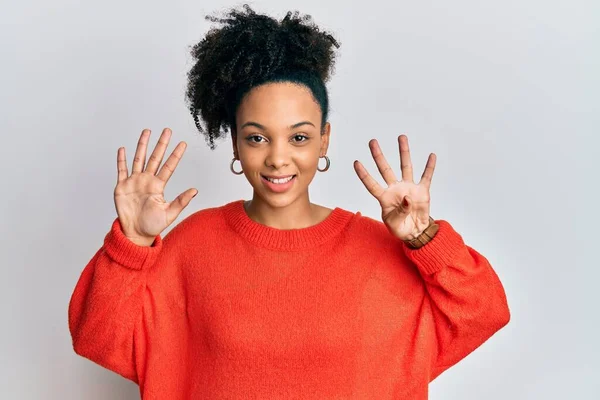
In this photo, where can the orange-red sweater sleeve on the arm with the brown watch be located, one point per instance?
(467, 299)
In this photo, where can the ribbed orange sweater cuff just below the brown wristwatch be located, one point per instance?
(439, 252)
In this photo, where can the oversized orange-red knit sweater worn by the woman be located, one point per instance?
(224, 307)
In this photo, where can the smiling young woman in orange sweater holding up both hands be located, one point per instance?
(277, 297)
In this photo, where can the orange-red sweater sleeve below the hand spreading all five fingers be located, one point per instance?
(105, 310)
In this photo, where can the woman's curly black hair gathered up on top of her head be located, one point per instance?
(251, 49)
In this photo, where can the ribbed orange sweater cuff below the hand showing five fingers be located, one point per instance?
(128, 254)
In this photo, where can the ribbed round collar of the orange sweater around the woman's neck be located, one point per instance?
(284, 239)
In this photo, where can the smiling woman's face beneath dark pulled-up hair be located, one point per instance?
(279, 136)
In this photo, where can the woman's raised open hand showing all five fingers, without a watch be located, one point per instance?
(139, 197)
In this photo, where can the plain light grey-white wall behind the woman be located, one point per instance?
(505, 93)
